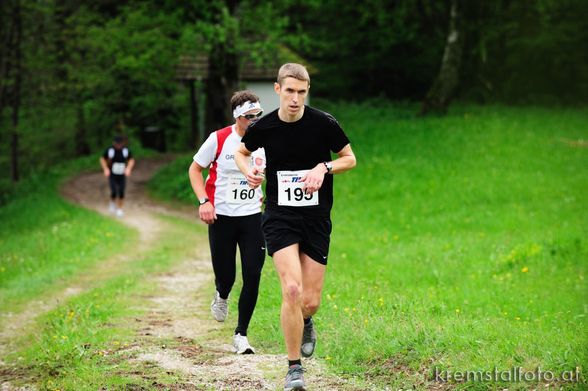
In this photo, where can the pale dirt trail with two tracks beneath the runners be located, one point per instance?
(180, 310)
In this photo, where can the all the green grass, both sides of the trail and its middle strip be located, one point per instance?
(459, 243)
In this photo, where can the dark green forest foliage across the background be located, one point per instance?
(93, 69)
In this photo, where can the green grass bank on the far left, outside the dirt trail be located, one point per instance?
(46, 240)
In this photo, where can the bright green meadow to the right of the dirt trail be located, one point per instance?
(459, 244)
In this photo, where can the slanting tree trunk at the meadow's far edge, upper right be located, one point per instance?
(443, 89)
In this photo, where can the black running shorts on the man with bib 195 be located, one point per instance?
(285, 228)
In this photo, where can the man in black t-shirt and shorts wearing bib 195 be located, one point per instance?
(298, 141)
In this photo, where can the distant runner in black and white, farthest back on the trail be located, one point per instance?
(117, 163)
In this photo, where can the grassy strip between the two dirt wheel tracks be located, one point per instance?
(88, 341)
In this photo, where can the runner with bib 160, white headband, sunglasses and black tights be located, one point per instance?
(232, 211)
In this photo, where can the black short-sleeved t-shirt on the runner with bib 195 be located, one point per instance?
(293, 146)
